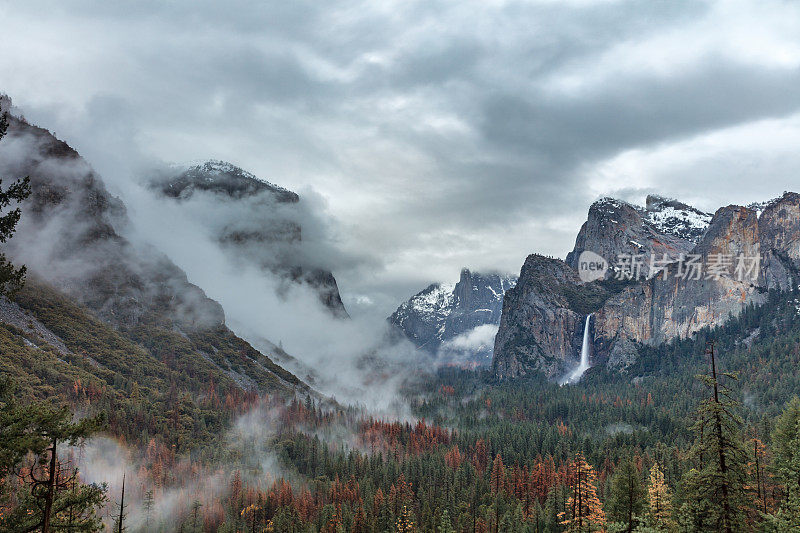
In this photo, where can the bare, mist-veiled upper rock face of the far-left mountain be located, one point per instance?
(70, 226)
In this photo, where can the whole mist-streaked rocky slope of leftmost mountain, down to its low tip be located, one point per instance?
(69, 237)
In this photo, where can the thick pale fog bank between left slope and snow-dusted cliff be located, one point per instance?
(263, 308)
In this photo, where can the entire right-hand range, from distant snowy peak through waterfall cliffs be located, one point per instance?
(535, 323)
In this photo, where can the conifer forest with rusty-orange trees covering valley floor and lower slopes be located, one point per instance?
(477, 455)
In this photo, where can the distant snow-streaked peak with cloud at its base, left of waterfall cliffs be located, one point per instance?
(455, 322)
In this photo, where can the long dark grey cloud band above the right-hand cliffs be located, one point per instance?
(714, 94)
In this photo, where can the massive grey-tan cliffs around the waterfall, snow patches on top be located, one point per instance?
(538, 333)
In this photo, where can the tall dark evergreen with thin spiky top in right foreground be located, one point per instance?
(716, 488)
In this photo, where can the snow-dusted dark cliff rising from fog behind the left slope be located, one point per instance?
(259, 222)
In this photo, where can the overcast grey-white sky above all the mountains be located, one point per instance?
(439, 134)
